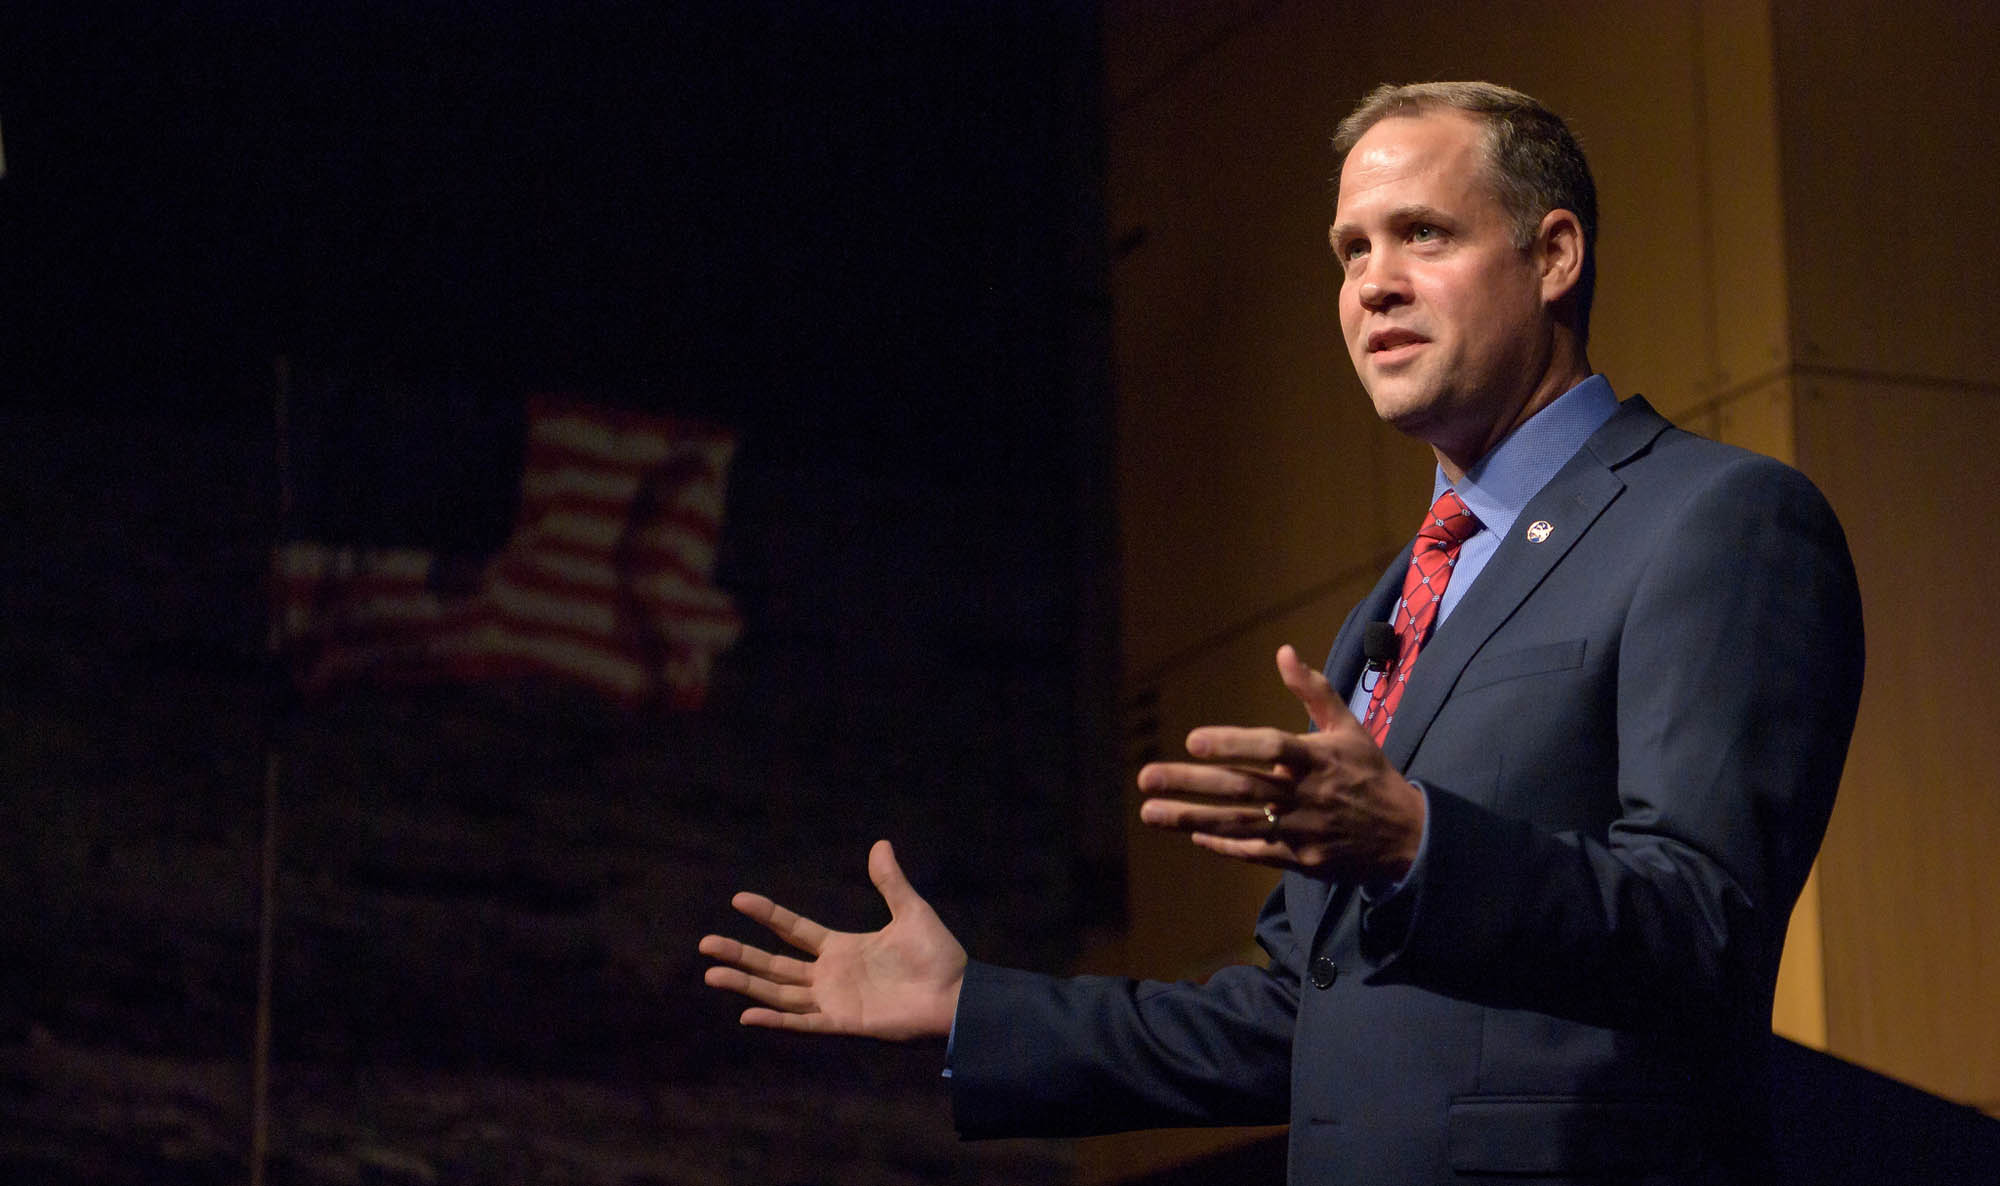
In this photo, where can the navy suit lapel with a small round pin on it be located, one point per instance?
(1569, 505)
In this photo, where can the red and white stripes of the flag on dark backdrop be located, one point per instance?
(607, 579)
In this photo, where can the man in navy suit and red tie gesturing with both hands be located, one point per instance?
(1569, 769)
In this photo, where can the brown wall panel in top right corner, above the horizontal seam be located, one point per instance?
(1891, 179)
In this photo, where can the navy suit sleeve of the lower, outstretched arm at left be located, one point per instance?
(1071, 1057)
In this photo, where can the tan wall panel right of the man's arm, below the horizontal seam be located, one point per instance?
(1911, 889)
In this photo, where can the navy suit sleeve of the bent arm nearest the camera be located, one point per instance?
(1737, 681)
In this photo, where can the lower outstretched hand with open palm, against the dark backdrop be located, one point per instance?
(897, 983)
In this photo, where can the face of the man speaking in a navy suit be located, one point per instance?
(1441, 311)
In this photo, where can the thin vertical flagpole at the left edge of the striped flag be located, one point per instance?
(267, 923)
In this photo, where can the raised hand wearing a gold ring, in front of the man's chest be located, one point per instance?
(1327, 801)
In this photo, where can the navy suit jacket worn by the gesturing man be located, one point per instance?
(1631, 733)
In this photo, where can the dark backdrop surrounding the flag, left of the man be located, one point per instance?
(867, 239)
